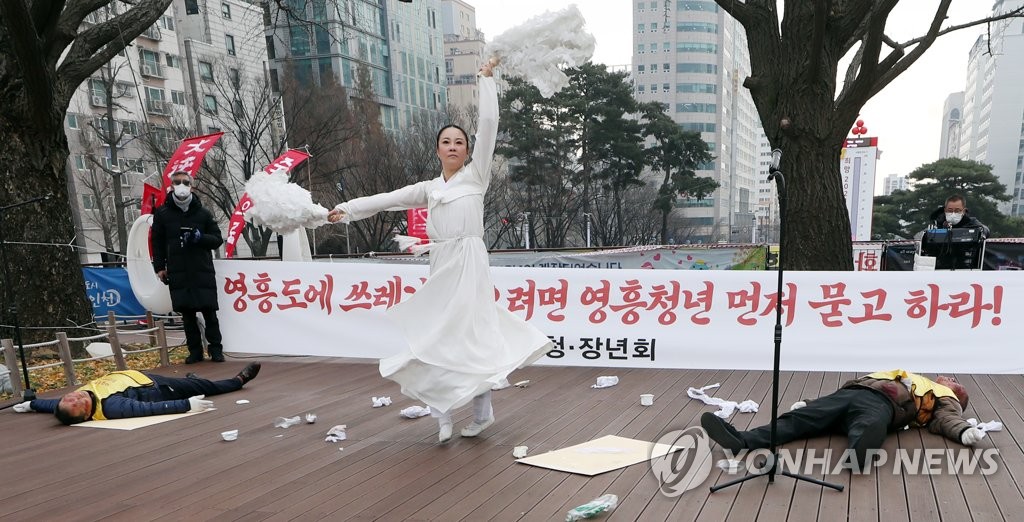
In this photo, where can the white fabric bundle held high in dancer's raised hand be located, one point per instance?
(538, 48)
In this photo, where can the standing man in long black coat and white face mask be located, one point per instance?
(185, 237)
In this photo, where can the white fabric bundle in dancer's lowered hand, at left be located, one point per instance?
(282, 206)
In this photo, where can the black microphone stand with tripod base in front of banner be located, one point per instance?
(773, 465)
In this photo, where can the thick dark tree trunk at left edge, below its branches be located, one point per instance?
(46, 281)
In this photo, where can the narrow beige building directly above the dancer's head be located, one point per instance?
(463, 52)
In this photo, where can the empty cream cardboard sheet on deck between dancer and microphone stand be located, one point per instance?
(600, 456)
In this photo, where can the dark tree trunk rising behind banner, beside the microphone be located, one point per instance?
(816, 209)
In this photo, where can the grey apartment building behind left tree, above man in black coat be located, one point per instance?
(185, 74)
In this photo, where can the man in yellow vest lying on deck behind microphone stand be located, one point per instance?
(865, 410)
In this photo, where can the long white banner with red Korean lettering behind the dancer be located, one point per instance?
(836, 322)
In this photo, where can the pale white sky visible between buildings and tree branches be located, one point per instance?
(907, 116)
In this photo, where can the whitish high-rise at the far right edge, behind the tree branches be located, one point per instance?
(993, 123)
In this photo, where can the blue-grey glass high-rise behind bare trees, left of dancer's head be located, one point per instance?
(398, 45)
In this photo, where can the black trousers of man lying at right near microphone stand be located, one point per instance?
(863, 415)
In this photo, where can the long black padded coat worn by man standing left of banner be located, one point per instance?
(190, 266)
